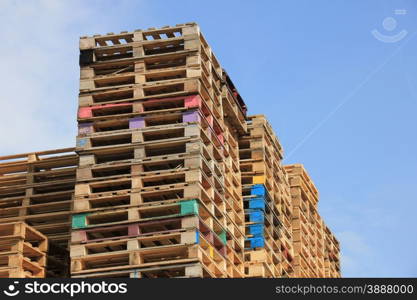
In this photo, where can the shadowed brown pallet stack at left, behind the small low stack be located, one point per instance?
(37, 188)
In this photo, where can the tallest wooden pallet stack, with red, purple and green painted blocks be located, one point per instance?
(158, 190)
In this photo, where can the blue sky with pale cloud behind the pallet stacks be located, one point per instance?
(342, 102)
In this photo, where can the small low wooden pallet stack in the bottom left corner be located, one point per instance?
(22, 251)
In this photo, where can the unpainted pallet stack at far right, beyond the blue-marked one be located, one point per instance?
(315, 248)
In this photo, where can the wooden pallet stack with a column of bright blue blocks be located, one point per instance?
(266, 196)
